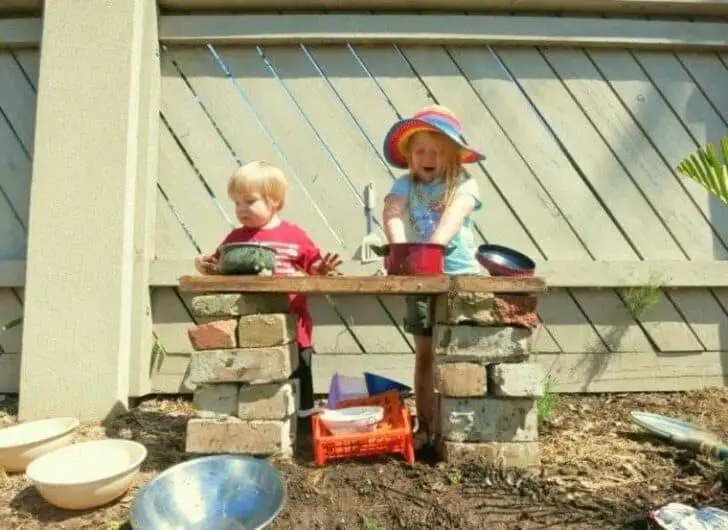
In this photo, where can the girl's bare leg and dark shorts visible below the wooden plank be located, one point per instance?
(417, 323)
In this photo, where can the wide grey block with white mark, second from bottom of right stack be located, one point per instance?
(488, 419)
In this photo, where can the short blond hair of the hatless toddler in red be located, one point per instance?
(259, 177)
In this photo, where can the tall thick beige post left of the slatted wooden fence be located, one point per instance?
(89, 216)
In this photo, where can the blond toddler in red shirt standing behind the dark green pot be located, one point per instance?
(258, 190)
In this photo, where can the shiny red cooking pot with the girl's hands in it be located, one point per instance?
(413, 259)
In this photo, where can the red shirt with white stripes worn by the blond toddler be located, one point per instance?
(294, 250)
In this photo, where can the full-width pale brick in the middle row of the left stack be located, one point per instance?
(243, 365)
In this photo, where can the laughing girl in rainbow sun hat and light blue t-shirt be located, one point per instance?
(432, 203)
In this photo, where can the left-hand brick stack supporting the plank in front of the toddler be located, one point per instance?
(245, 353)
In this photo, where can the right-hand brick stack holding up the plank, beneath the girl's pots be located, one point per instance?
(487, 388)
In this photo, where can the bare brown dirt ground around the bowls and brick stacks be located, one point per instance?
(599, 471)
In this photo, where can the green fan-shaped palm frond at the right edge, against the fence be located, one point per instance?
(709, 168)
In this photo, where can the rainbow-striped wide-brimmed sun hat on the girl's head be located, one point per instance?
(434, 119)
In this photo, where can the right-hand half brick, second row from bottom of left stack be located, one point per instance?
(274, 401)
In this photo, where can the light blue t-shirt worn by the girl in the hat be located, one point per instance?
(422, 218)
